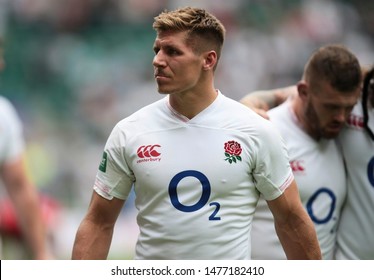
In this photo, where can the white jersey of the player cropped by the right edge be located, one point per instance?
(356, 228)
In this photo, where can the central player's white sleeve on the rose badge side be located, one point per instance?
(273, 173)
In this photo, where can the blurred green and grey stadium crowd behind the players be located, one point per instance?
(76, 67)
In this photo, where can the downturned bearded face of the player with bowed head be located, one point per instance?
(327, 109)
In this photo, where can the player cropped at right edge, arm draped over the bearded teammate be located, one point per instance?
(354, 235)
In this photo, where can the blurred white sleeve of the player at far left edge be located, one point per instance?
(11, 138)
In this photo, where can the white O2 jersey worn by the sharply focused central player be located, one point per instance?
(196, 181)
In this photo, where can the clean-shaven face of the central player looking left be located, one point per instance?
(177, 68)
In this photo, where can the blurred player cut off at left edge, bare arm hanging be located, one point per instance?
(20, 189)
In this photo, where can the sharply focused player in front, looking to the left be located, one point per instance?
(197, 160)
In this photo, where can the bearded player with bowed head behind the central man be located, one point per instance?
(323, 99)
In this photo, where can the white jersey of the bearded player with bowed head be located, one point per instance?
(318, 168)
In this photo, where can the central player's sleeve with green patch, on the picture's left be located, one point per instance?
(114, 177)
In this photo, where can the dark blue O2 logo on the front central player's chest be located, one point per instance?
(205, 194)
